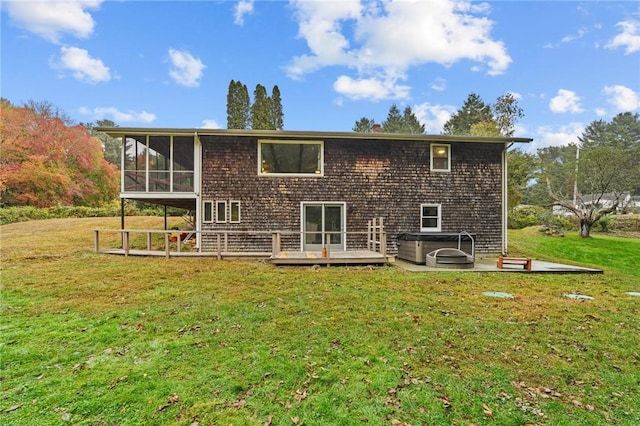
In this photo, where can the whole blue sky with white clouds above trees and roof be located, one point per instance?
(169, 63)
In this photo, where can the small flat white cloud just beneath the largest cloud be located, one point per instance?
(370, 88)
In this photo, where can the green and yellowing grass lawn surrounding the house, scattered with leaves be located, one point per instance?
(90, 339)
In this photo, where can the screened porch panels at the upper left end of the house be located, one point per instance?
(158, 164)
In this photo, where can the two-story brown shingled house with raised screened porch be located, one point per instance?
(311, 185)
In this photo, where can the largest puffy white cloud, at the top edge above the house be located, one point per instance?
(386, 38)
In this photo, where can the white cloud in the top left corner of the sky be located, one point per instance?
(52, 19)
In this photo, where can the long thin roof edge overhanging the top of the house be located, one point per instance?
(295, 134)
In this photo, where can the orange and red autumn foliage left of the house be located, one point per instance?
(44, 162)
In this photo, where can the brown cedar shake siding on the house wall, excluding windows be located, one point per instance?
(374, 177)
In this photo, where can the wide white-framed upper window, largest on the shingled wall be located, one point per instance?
(290, 158)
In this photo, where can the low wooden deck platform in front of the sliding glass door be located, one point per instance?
(352, 257)
